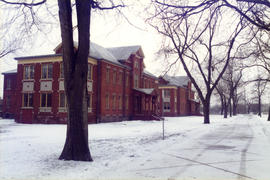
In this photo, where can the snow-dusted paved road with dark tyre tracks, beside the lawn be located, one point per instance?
(237, 150)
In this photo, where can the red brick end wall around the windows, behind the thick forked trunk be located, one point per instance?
(33, 115)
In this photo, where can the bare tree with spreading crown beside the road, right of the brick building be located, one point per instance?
(192, 36)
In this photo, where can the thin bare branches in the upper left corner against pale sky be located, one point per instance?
(20, 24)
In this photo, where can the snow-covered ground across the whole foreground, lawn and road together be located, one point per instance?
(233, 148)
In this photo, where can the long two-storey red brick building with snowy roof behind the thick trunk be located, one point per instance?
(118, 88)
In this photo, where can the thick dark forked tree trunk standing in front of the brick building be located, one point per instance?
(75, 77)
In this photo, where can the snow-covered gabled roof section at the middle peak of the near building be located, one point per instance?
(123, 53)
